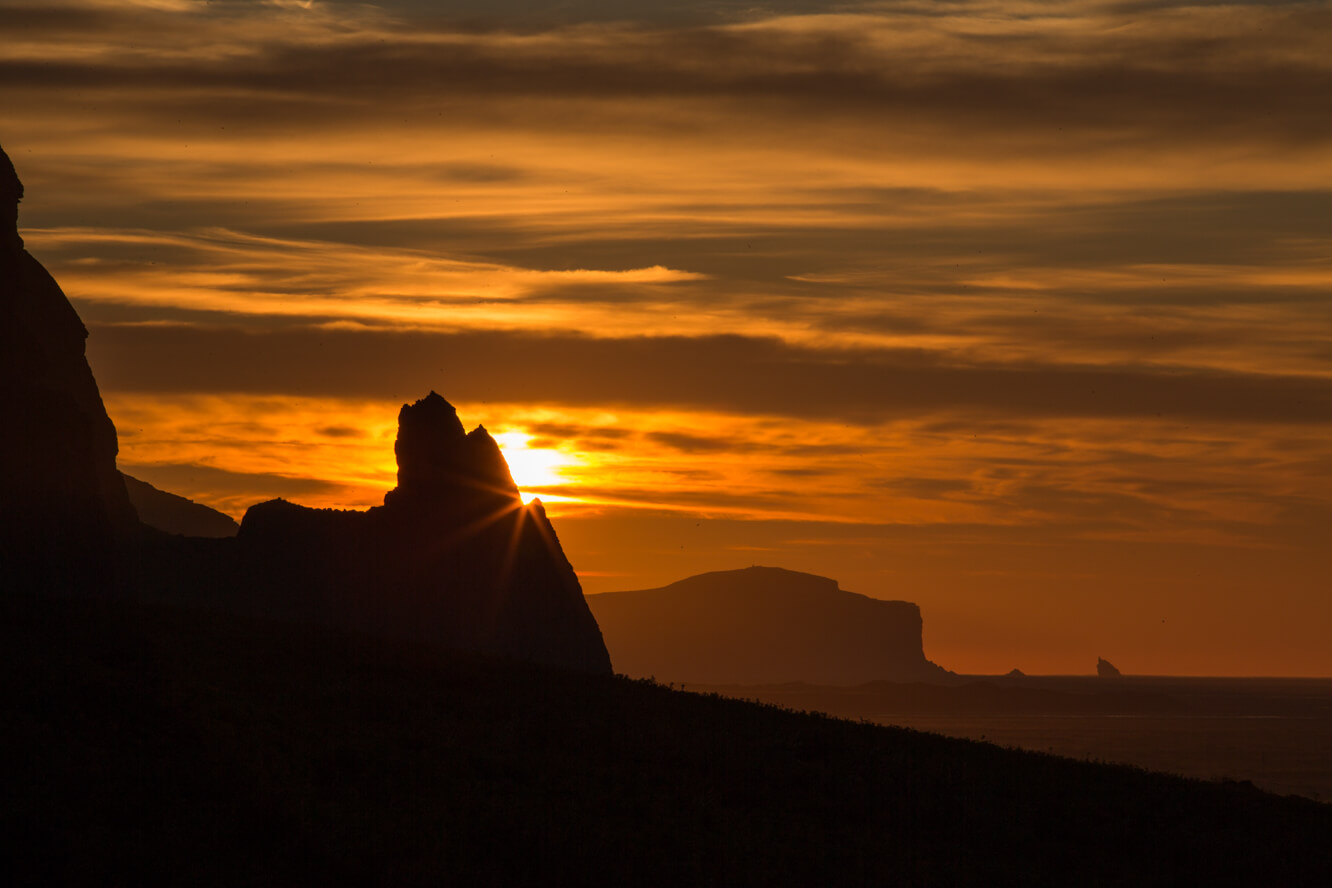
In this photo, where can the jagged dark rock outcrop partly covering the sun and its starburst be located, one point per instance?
(454, 557)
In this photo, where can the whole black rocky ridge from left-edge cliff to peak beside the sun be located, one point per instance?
(452, 560)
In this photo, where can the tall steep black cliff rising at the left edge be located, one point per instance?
(65, 511)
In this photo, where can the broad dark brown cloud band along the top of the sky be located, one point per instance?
(1022, 82)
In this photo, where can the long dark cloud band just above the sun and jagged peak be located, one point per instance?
(731, 373)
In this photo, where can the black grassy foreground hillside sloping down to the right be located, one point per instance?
(153, 745)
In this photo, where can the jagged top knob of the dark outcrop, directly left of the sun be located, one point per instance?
(440, 463)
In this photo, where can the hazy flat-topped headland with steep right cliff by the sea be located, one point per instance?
(761, 626)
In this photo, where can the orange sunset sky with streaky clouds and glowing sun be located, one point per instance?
(1017, 311)
